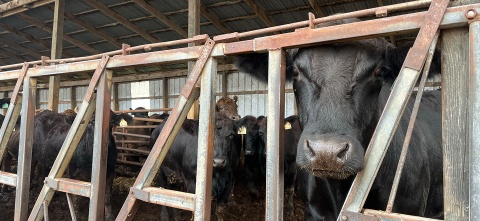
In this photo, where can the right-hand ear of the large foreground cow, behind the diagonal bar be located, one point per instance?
(395, 57)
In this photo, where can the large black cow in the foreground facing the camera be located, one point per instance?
(341, 90)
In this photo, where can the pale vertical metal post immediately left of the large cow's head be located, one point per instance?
(275, 131)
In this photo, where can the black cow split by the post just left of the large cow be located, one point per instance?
(290, 141)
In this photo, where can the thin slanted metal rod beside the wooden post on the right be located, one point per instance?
(413, 117)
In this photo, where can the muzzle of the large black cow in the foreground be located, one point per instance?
(333, 155)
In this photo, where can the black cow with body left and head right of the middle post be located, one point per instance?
(178, 170)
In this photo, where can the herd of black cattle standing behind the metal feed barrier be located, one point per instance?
(340, 89)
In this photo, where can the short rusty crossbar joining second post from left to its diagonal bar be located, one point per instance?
(80, 188)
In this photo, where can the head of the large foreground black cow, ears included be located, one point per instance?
(337, 88)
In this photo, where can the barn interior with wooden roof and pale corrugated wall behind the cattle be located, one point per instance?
(32, 29)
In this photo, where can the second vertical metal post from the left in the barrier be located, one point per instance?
(100, 147)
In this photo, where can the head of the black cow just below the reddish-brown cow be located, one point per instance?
(224, 140)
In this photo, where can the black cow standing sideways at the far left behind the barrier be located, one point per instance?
(50, 132)
